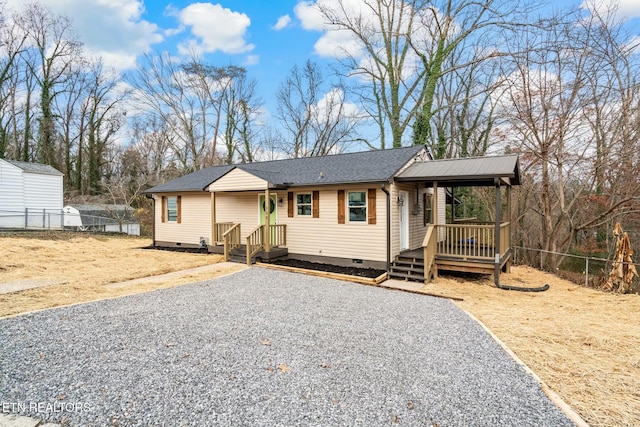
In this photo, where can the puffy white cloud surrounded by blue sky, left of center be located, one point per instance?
(215, 29)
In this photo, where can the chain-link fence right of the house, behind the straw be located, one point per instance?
(588, 271)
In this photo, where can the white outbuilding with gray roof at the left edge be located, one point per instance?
(31, 195)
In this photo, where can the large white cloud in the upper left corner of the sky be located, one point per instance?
(112, 29)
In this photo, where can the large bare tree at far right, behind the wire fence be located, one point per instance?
(557, 98)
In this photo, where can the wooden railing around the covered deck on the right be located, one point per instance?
(471, 241)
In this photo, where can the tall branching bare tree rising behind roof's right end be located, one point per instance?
(401, 48)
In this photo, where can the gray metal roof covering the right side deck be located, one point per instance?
(472, 171)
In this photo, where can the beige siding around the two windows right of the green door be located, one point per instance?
(323, 236)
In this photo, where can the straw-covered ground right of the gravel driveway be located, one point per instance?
(584, 344)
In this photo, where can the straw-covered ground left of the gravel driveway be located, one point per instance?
(84, 265)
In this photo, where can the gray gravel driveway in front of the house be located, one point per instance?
(265, 348)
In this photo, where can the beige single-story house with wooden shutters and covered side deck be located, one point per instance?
(383, 209)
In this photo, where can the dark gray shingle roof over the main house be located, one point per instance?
(366, 166)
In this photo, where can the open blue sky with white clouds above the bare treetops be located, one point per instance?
(268, 37)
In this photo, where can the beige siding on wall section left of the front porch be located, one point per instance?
(195, 219)
